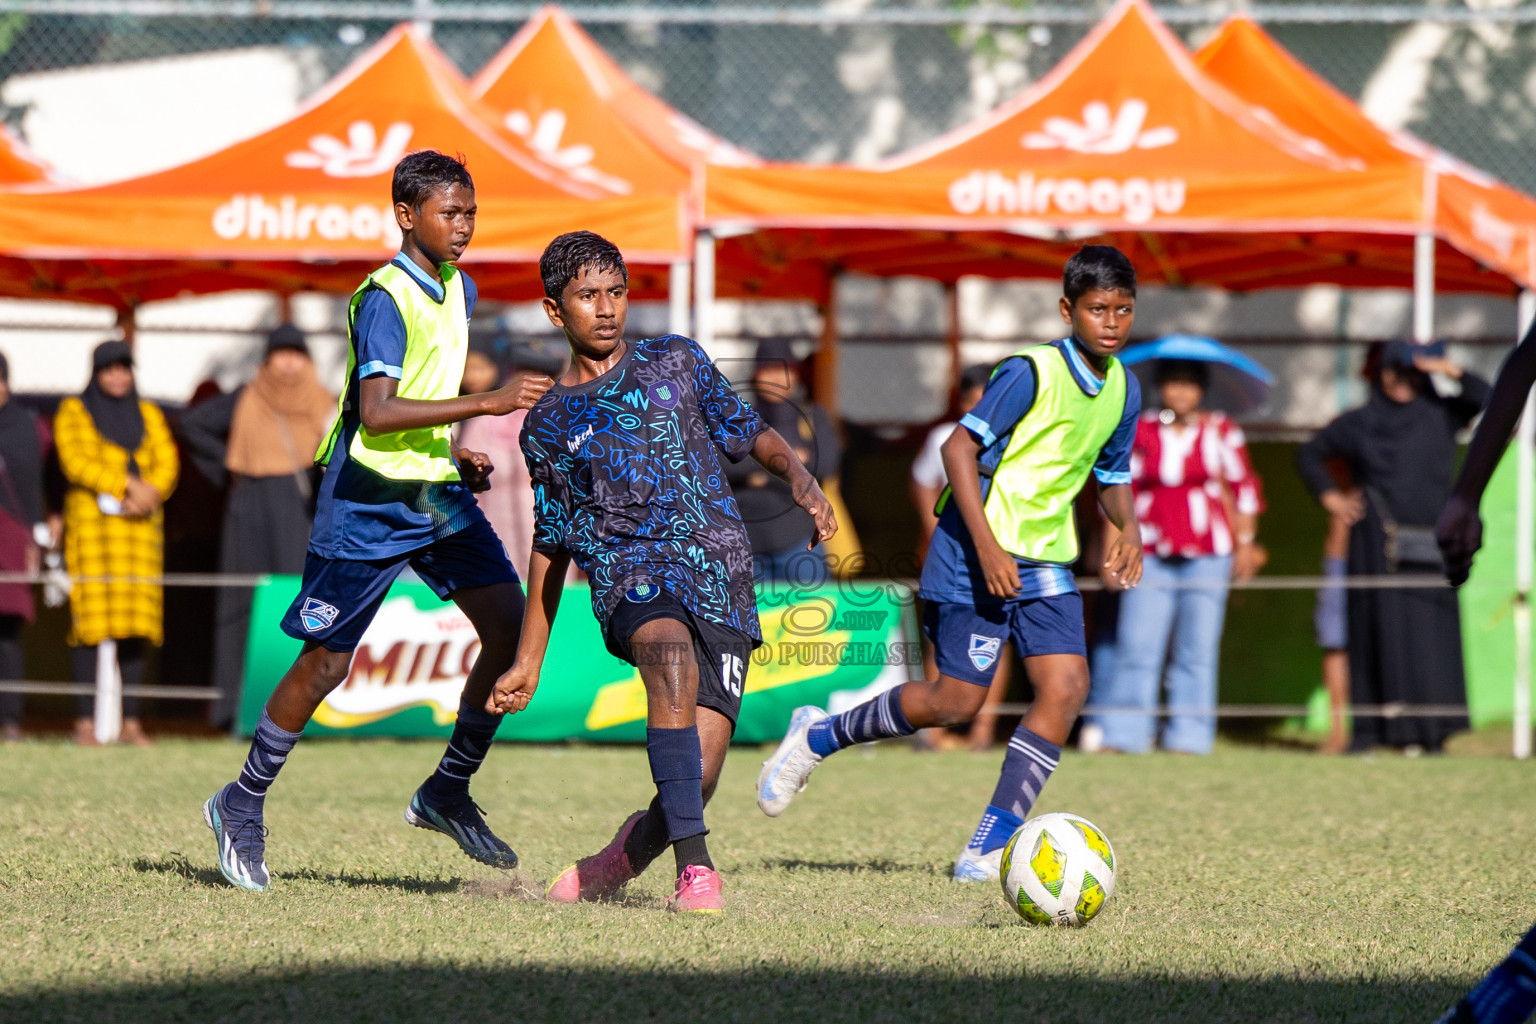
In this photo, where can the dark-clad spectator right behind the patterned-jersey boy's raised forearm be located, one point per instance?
(778, 527)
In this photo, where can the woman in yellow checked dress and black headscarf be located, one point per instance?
(121, 464)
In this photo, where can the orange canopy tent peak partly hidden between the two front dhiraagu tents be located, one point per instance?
(558, 91)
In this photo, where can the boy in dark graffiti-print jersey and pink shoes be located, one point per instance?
(624, 454)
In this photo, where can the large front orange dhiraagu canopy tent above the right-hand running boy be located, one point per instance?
(1125, 142)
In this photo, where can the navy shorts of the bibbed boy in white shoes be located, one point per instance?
(968, 639)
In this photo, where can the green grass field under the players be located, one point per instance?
(1256, 887)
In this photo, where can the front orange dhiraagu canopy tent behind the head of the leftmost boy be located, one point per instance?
(306, 205)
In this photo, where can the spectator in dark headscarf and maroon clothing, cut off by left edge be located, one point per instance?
(24, 446)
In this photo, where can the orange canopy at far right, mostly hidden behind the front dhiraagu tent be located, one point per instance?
(1478, 216)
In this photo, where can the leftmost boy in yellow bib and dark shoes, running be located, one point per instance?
(397, 492)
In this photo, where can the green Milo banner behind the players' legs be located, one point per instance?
(832, 647)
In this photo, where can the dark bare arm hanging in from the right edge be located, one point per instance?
(1460, 529)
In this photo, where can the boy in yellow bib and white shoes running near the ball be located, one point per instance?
(999, 566)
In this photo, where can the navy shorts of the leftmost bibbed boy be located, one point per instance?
(340, 596)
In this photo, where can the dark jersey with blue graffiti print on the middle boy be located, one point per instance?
(627, 477)
